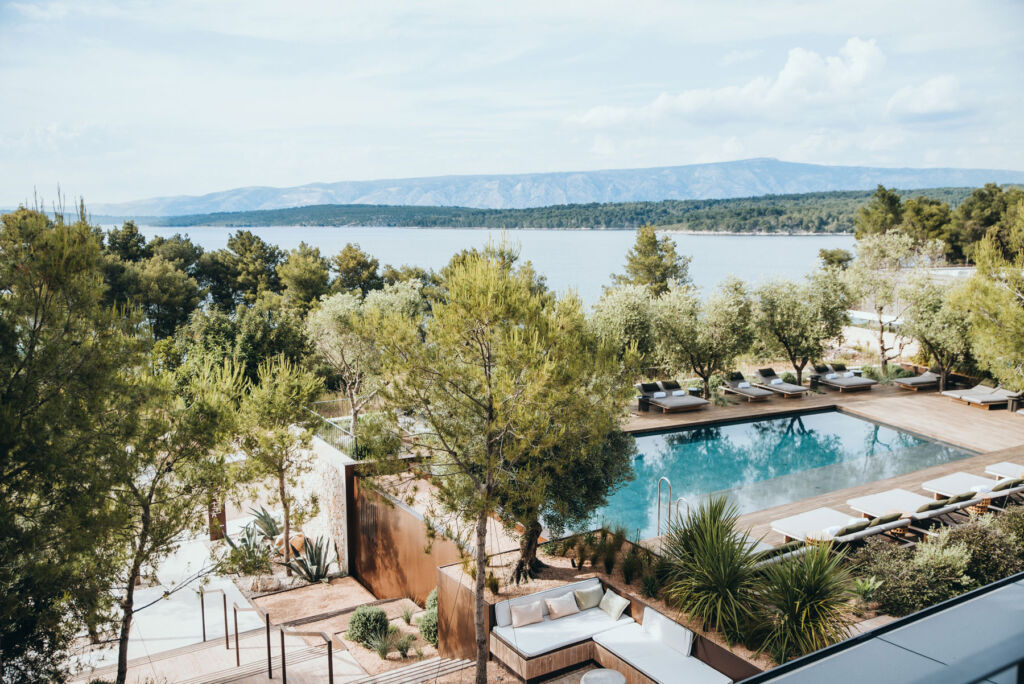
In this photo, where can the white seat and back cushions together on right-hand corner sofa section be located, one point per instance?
(660, 660)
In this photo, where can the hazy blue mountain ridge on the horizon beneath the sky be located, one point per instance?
(698, 182)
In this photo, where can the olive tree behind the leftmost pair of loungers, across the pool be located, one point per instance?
(704, 336)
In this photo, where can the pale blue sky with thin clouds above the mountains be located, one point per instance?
(121, 101)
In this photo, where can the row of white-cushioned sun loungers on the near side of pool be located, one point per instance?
(899, 512)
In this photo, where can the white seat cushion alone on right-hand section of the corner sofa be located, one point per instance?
(656, 660)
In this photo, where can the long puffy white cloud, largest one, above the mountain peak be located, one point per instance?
(806, 78)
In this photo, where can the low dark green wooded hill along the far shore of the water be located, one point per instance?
(814, 212)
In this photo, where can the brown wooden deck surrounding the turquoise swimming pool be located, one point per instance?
(994, 436)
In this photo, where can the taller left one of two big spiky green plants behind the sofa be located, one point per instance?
(712, 574)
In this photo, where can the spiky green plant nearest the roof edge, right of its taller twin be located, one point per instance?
(805, 604)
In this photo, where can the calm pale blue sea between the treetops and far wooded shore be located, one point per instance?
(583, 261)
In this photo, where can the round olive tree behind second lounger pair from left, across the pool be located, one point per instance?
(799, 319)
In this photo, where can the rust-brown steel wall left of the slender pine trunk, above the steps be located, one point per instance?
(389, 545)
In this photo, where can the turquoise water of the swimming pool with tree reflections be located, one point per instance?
(767, 463)
